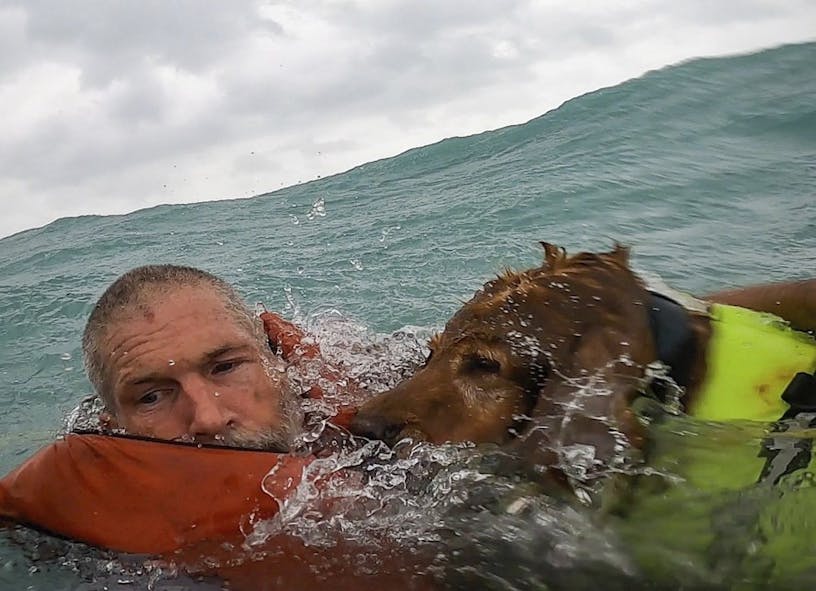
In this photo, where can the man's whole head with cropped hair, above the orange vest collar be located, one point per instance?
(175, 354)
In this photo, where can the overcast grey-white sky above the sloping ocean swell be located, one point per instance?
(108, 106)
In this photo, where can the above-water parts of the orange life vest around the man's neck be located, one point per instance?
(148, 496)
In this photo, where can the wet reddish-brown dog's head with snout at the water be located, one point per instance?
(525, 349)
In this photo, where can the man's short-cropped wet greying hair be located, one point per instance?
(135, 291)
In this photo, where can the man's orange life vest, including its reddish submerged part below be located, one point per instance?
(193, 506)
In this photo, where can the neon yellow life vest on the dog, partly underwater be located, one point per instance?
(731, 475)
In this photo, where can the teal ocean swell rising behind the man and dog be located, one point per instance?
(706, 168)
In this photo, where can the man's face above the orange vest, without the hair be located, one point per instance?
(182, 367)
